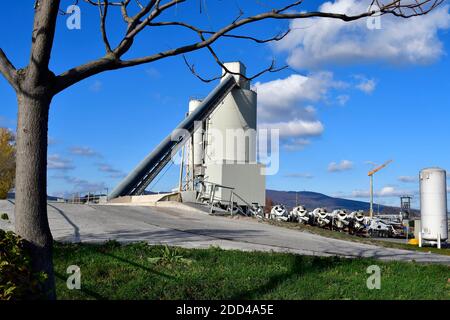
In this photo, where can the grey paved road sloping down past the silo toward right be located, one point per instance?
(86, 223)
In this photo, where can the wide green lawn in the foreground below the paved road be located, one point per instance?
(112, 271)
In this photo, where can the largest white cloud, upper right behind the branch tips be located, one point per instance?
(316, 42)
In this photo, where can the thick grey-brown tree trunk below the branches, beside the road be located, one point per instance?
(31, 184)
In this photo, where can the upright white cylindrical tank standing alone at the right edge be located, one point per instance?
(433, 204)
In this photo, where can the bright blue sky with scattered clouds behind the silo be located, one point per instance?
(351, 96)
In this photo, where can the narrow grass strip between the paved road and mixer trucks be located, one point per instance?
(345, 236)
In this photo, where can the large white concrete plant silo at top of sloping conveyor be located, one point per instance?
(230, 144)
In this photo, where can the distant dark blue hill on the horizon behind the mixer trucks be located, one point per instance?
(312, 200)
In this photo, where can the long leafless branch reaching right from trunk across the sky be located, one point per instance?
(154, 8)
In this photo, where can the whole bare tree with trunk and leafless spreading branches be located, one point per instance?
(35, 85)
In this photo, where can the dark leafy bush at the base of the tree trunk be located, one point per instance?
(17, 281)
